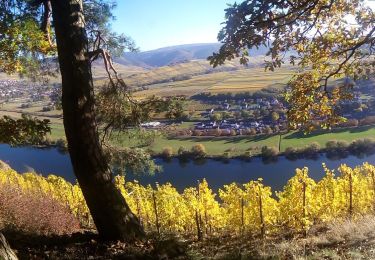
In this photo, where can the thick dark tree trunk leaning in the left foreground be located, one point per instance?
(111, 214)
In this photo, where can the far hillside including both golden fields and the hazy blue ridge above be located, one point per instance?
(184, 70)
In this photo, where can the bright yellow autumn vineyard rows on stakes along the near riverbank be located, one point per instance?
(251, 208)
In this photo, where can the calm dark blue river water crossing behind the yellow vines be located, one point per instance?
(181, 175)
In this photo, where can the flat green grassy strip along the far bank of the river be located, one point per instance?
(237, 145)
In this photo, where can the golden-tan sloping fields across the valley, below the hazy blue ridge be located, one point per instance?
(198, 80)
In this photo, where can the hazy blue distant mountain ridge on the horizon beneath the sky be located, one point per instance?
(175, 54)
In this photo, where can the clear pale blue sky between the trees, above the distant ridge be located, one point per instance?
(155, 24)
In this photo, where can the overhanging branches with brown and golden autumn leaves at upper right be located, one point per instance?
(326, 39)
